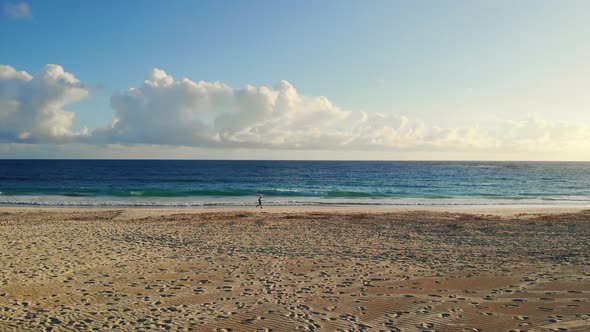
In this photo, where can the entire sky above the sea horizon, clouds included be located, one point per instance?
(330, 79)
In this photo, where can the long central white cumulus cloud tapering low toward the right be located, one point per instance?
(164, 110)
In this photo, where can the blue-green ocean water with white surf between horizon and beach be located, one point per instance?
(238, 183)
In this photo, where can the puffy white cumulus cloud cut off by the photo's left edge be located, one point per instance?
(31, 107)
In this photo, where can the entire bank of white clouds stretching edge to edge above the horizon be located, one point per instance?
(181, 112)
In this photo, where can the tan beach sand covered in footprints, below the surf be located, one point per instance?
(287, 269)
